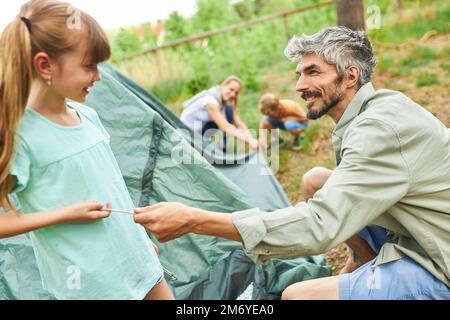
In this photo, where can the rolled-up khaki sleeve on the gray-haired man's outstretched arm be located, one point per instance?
(372, 176)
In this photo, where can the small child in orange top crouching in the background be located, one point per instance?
(286, 115)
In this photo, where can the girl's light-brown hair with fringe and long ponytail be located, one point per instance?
(48, 26)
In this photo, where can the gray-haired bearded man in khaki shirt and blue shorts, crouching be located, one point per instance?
(393, 170)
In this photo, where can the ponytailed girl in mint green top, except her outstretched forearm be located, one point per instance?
(50, 54)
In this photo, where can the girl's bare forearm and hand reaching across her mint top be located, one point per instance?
(12, 224)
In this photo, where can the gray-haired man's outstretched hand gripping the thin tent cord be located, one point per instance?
(166, 221)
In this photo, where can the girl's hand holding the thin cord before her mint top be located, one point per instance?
(85, 212)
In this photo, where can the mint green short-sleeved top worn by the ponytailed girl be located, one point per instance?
(56, 166)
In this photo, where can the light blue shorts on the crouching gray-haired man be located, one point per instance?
(402, 279)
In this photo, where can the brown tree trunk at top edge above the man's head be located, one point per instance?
(351, 14)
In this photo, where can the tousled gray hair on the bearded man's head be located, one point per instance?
(338, 46)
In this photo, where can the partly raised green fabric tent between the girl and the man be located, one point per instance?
(145, 136)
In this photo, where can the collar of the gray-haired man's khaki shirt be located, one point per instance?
(354, 108)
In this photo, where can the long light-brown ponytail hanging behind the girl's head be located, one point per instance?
(16, 74)
